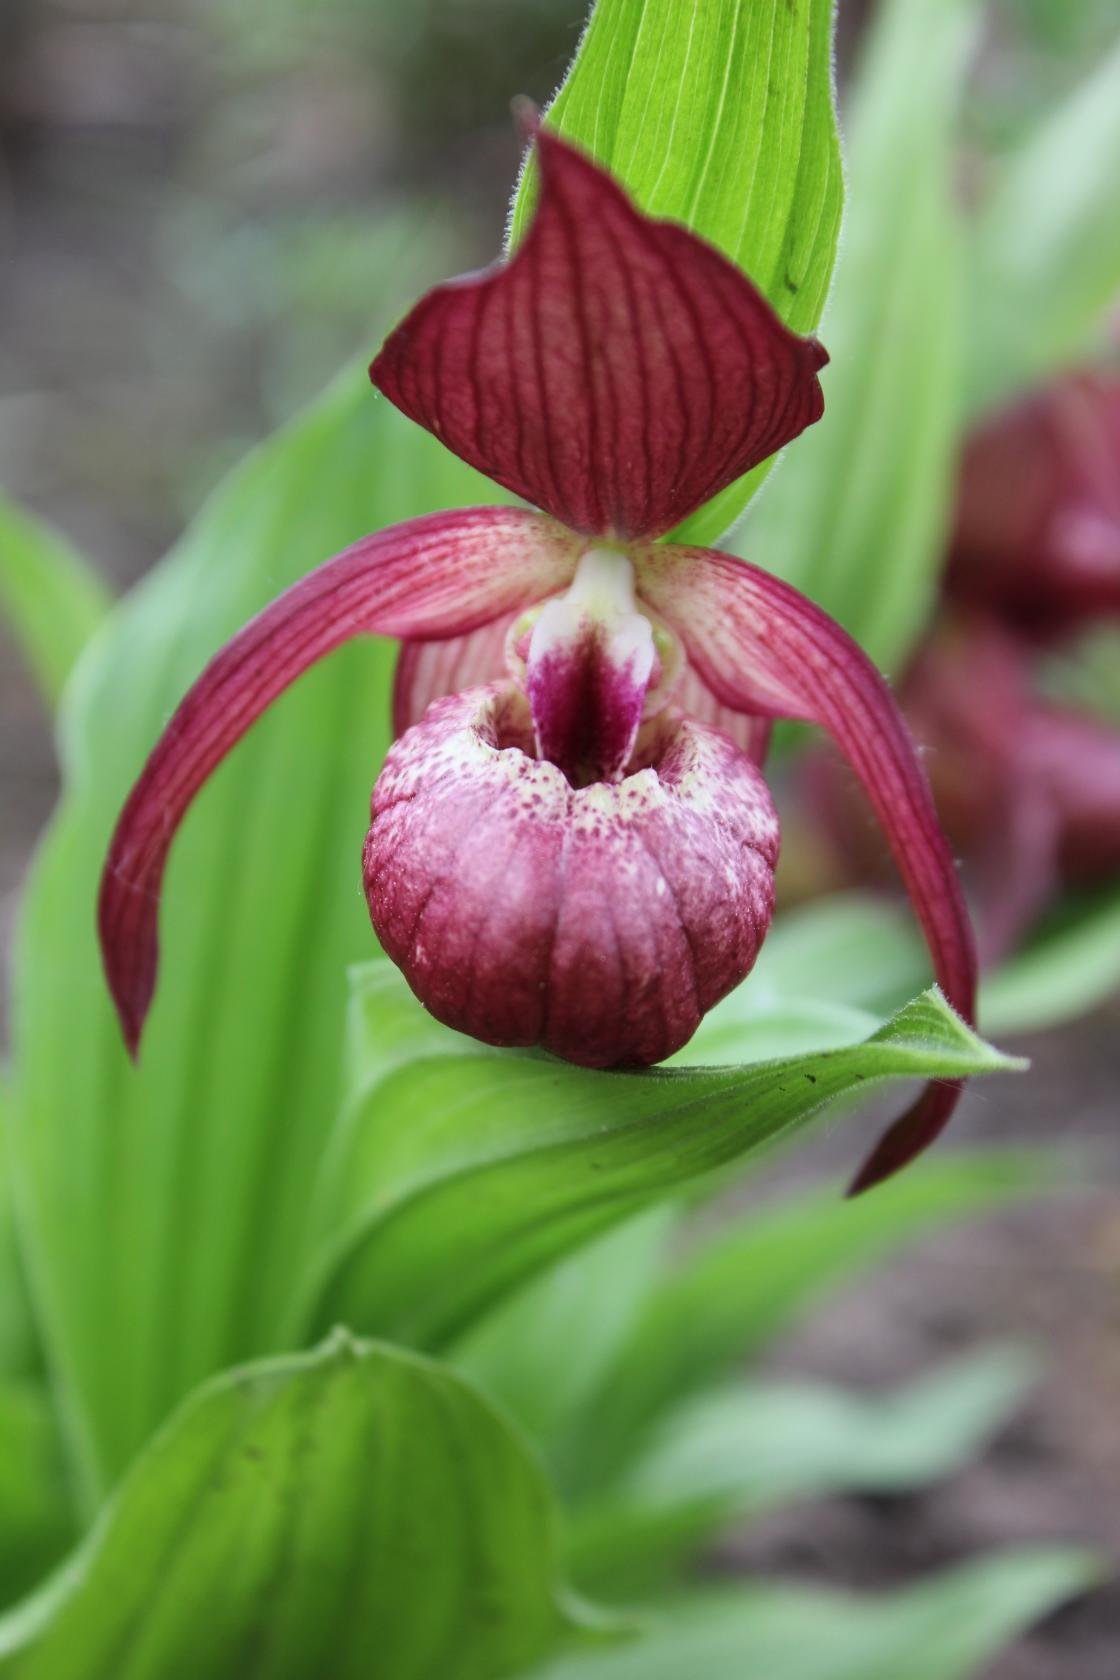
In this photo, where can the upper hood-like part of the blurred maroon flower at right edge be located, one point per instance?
(1039, 515)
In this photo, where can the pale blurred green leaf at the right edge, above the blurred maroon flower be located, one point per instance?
(1047, 246)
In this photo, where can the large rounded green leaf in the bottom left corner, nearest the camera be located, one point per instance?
(298, 1518)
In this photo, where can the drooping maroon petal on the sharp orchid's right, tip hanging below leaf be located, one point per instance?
(761, 646)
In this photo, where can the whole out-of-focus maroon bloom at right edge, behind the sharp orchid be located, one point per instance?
(1028, 790)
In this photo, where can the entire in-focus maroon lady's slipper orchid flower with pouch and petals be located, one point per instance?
(572, 841)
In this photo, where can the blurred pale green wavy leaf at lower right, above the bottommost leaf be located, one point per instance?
(743, 1452)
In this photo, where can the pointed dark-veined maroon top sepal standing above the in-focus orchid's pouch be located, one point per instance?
(617, 372)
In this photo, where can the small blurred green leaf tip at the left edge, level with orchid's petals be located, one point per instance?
(51, 599)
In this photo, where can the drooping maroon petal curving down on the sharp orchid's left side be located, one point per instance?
(437, 575)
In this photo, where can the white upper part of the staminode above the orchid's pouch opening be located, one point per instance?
(600, 597)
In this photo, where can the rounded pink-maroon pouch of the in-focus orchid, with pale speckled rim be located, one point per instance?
(600, 923)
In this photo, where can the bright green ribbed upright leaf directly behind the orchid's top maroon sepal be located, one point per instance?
(720, 117)
